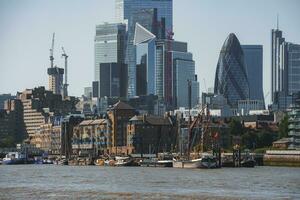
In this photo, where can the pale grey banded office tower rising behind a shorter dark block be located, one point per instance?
(109, 46)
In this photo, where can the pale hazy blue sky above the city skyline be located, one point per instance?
(27, 27)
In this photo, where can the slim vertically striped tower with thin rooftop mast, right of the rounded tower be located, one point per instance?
(276, 67)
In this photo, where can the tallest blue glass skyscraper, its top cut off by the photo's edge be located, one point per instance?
(130, 11)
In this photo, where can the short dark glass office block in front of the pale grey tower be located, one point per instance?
(113, 78)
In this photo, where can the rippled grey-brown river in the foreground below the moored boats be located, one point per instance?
(93, 182)
